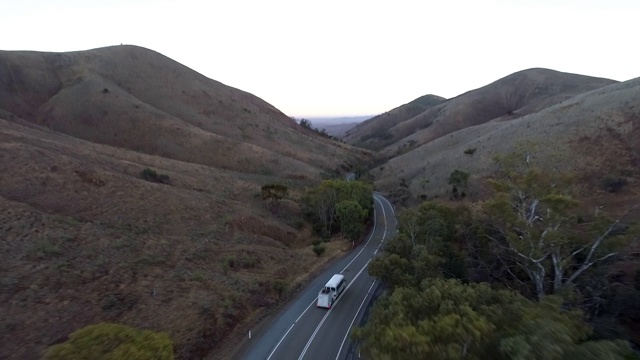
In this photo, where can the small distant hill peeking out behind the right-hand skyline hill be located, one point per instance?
(374, 133)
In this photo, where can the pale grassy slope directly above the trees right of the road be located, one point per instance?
(595, 135)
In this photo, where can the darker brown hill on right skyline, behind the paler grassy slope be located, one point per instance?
(511, 97)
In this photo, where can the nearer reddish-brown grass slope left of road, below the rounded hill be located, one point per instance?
(85, 239)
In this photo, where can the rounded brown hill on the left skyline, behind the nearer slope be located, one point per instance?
(138, 99)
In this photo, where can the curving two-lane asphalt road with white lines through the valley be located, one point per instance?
(303, 331)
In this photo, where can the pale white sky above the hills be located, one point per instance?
(349, 57)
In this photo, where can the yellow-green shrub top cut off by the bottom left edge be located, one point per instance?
(107, 341)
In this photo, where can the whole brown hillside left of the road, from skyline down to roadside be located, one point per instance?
(131, 193)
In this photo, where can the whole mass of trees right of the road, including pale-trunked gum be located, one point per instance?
(516, 277)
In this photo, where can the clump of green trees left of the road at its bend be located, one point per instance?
(339, 206)
